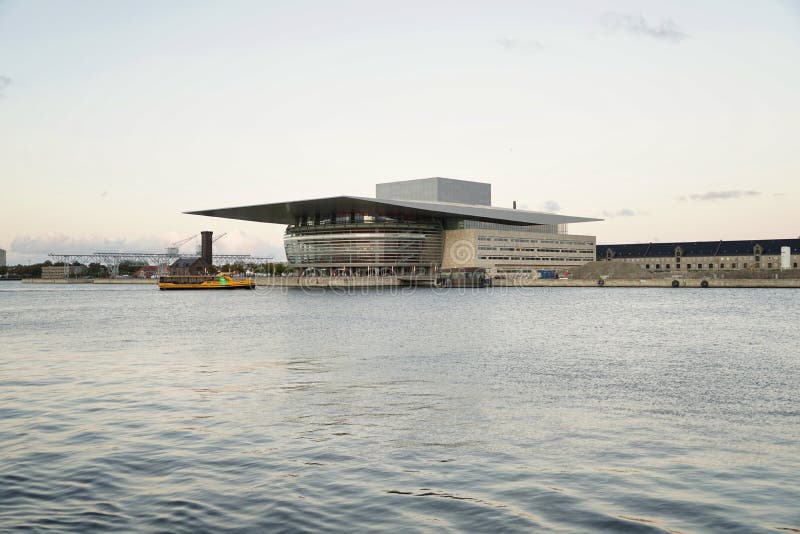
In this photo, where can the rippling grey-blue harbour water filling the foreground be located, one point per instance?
(573, 410)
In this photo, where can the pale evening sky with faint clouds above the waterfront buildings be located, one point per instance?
(672, 121)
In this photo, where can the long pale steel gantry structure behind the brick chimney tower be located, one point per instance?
(112, 260)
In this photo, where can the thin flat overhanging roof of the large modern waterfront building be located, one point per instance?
(288, 212)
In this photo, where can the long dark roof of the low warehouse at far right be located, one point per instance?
(771, 247)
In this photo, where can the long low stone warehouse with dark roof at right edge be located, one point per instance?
(764, 254)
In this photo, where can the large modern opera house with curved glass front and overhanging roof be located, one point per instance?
(418, 227)
